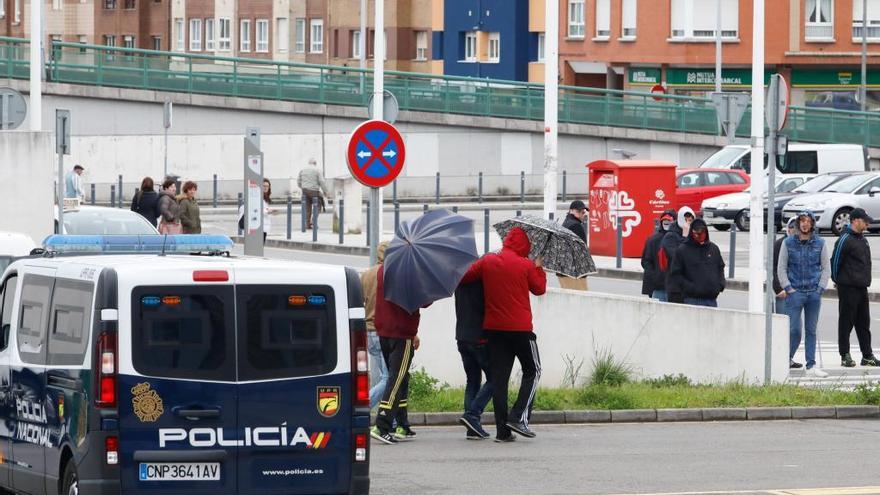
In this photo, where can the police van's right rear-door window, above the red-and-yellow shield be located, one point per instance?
(282, 338)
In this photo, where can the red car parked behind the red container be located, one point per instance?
(695, 185)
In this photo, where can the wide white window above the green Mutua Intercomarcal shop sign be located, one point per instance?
(697, 19)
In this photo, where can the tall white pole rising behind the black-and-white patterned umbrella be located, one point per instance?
(551, 104)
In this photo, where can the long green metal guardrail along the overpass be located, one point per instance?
(98, 65)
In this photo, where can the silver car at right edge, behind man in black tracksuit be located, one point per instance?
(831, 207)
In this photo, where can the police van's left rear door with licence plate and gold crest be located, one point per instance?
(178, 410)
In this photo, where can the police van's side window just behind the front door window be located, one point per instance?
(36, 292)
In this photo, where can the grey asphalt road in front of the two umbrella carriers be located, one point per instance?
(637, 458)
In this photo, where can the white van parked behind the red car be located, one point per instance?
(800, 158)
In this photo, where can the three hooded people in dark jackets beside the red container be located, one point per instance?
(680, 263)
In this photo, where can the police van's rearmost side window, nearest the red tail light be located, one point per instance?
(71, 320)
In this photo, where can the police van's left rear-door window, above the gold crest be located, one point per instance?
(184, 332)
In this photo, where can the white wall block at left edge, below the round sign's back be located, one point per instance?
(27, 164)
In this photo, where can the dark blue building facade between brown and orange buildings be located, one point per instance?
(509, 18)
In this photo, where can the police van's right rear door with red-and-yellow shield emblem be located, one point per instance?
(298, 412)
